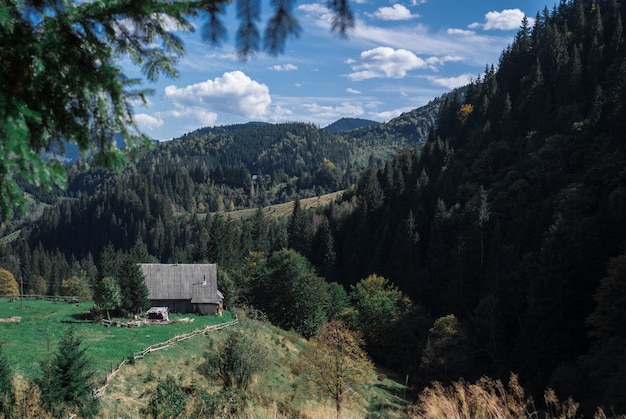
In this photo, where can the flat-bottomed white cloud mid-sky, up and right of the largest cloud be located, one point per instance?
(384, 62)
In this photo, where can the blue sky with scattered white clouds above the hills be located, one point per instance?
(399, 56)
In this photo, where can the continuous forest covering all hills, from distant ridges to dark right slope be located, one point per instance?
(497, 247)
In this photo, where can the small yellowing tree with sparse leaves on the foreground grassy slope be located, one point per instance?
(336, 364)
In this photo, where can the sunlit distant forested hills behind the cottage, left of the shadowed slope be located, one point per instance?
(162, 201)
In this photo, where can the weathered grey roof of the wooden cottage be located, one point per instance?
(195, 282)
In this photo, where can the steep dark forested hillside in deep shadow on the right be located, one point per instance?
(511, 217)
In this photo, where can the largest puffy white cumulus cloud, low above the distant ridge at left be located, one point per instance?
(234, 93)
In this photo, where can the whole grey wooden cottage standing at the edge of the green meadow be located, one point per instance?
(183, 288)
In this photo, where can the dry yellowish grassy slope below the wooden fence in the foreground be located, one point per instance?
(130, 390)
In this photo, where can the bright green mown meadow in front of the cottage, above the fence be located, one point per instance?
(35, 337)
